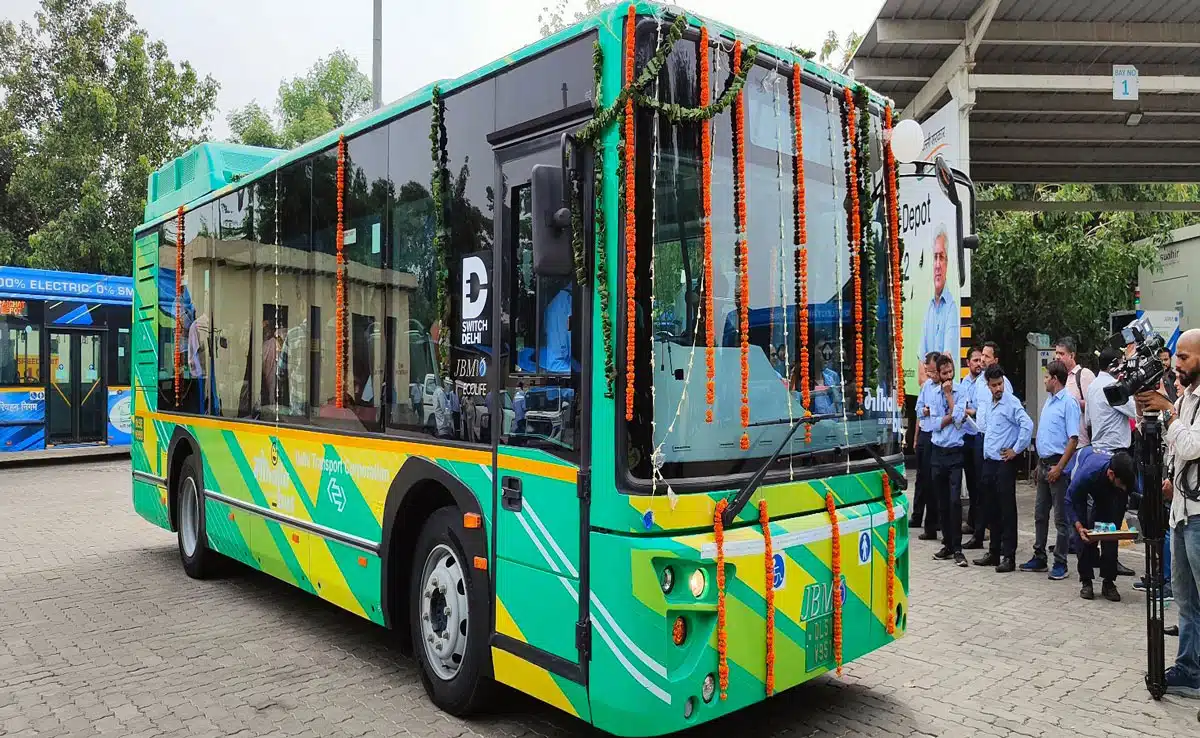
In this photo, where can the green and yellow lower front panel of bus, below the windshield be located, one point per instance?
(641, 681)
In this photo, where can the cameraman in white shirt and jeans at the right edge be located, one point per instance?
(1184, 490)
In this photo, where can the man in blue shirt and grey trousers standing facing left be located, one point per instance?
(1057, 441)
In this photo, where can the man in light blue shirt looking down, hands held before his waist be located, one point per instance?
(950, 407)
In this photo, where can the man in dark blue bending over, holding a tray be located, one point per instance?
(1105, 479)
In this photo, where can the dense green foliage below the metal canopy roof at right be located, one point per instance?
(1064, 273)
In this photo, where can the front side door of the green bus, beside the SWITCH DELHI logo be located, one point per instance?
(541, 417)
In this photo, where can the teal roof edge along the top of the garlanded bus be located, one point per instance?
(607, 21)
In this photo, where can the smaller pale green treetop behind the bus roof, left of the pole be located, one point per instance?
(331, 94)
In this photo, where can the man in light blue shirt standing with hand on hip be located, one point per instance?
(1009, 434)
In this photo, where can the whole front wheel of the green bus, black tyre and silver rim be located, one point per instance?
(449, 619)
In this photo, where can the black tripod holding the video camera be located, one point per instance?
(1154, 531)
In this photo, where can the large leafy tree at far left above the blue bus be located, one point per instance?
(89, 107)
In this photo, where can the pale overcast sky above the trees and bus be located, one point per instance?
(250, 46)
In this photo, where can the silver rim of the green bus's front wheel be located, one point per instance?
(445, 613)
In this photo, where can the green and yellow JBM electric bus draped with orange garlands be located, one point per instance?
(578, 371)
